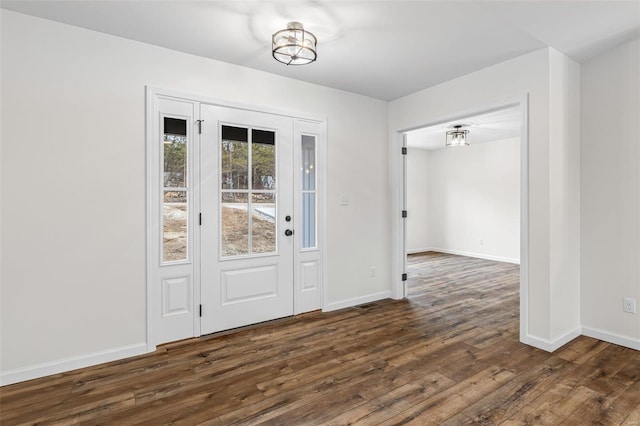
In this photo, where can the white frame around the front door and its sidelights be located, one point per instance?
(301, 122)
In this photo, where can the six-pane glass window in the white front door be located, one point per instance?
(248, 192)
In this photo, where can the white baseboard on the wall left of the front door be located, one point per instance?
(72, 363)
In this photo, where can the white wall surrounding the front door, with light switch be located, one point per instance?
(73, 184)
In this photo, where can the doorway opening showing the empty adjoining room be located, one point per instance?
(466, 207)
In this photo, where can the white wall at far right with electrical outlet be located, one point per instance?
(610, 193)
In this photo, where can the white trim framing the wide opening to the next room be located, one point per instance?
(396, 174)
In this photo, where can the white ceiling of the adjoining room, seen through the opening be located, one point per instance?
(486, 127)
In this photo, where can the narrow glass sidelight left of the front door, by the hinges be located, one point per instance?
(175, 184)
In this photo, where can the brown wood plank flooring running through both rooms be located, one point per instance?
(449, 354)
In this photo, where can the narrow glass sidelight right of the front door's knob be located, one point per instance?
(308, 179)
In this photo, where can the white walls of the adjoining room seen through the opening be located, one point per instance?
(472, 197)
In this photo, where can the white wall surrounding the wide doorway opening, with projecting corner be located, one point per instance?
(547, 323)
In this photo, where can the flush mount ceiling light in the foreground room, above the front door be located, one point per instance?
(294, 46)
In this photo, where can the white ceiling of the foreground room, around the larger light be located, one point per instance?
(383, 49)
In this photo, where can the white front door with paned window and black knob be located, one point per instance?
(246, 193)
